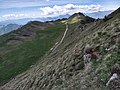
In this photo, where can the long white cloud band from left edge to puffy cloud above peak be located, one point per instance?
(54, 11)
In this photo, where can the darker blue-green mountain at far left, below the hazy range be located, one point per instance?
(8, 28)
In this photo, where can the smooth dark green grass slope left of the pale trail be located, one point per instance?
(28, 53)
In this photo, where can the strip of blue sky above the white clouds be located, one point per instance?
(29, 3)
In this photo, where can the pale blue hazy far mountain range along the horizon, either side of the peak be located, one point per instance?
(99, 14)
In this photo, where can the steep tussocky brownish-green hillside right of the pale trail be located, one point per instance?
(63, 68)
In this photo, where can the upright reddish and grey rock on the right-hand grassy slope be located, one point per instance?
(87, 54)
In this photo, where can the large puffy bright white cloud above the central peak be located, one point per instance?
(69, 9)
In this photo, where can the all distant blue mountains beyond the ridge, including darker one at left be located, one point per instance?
(6, 26)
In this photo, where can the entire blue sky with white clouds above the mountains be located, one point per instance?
(20, 9)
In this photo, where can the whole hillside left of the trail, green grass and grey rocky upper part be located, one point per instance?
(22, 48)
